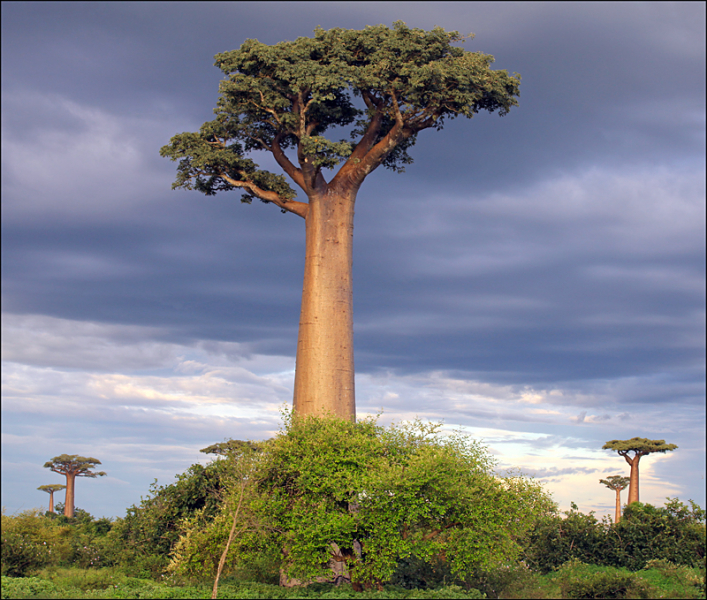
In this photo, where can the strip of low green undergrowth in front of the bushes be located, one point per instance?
(661, 579)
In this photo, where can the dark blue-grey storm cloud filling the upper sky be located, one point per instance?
(475, 282)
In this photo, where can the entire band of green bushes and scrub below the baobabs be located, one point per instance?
(398, 512)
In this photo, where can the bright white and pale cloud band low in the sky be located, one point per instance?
(150, 419)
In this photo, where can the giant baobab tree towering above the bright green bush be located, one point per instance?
(283, 99)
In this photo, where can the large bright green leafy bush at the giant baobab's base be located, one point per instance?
(399, 492)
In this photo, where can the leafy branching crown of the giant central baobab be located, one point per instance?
(290, 94)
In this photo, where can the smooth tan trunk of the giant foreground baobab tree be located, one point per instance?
(324, 377)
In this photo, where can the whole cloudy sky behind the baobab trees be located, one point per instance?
(537, 279)
